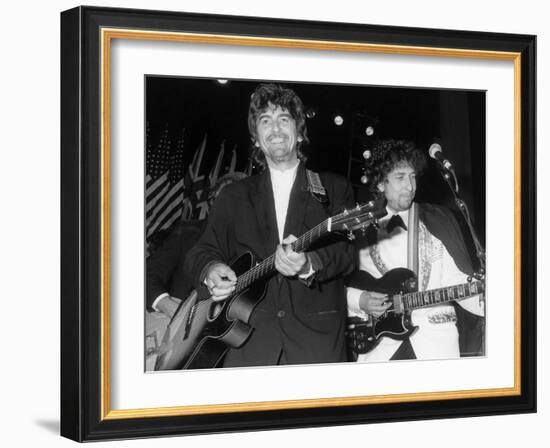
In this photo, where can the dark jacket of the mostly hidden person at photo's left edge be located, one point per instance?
(164, 267)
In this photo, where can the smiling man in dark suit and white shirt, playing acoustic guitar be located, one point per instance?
(301, 318)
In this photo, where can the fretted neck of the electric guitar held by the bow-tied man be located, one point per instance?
(420, 299)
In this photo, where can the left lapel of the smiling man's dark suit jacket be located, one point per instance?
(261, 197)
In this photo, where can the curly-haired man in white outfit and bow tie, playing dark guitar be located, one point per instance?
(426, 239)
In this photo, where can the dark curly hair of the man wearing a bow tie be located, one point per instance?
(386, 155)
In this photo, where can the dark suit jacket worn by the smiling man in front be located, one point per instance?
(294, 323)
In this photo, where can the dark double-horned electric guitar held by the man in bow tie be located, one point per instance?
(401, 286)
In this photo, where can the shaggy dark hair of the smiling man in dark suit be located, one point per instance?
(266, 96)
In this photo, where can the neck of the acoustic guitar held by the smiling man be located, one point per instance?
(267, 266)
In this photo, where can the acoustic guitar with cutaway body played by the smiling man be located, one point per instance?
(201, 330)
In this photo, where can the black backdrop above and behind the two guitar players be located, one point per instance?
(453, 118)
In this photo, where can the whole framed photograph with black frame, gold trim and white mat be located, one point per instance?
(279, 224)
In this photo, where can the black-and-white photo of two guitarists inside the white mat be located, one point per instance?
(298, 154)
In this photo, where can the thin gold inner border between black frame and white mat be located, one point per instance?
(107, 35)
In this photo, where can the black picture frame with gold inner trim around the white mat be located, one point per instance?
(85, 413)
